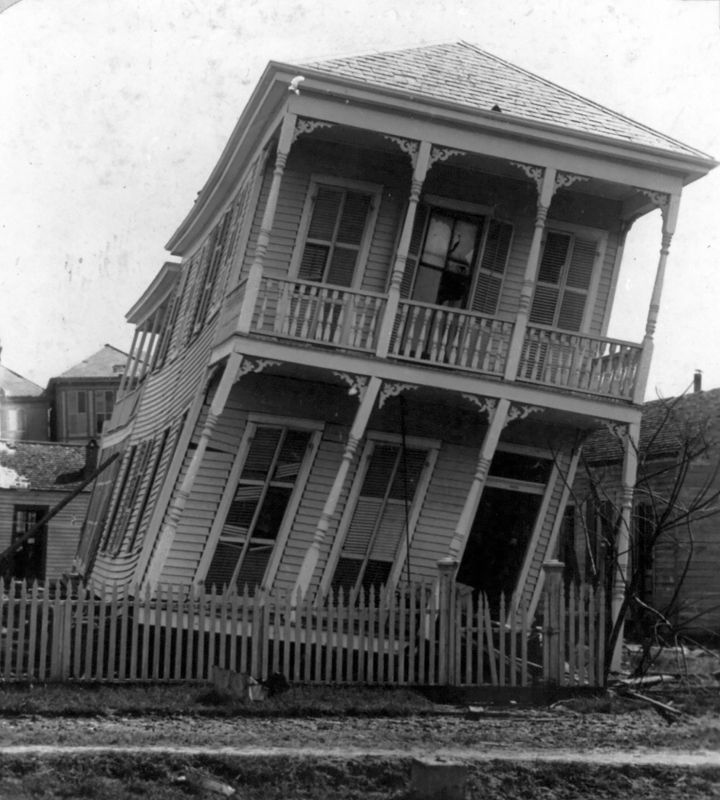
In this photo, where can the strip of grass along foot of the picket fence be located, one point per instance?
(73, 700)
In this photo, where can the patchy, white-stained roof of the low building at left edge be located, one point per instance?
(41, 466)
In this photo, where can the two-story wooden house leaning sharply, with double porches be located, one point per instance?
(387, 337)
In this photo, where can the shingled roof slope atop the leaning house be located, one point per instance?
(462, 73)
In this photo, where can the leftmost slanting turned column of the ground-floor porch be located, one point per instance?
(168, 531)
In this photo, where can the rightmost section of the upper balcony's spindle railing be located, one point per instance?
(605, 367)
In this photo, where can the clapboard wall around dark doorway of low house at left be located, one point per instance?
(63, 533)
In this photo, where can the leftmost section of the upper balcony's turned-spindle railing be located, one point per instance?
(315, 312)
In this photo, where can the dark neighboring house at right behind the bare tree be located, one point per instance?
(678, 575)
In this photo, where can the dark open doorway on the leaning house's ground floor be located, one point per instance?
(498, 541)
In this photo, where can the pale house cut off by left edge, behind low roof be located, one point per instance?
(23, 408)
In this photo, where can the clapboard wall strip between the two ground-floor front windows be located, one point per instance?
(325, 467)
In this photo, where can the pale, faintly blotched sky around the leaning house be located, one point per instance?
(114, 112)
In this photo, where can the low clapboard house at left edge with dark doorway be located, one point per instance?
(34, 478)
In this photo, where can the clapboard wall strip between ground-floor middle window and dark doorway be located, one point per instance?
(444, 501)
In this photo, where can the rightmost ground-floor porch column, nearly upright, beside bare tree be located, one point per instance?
(622, 543)
